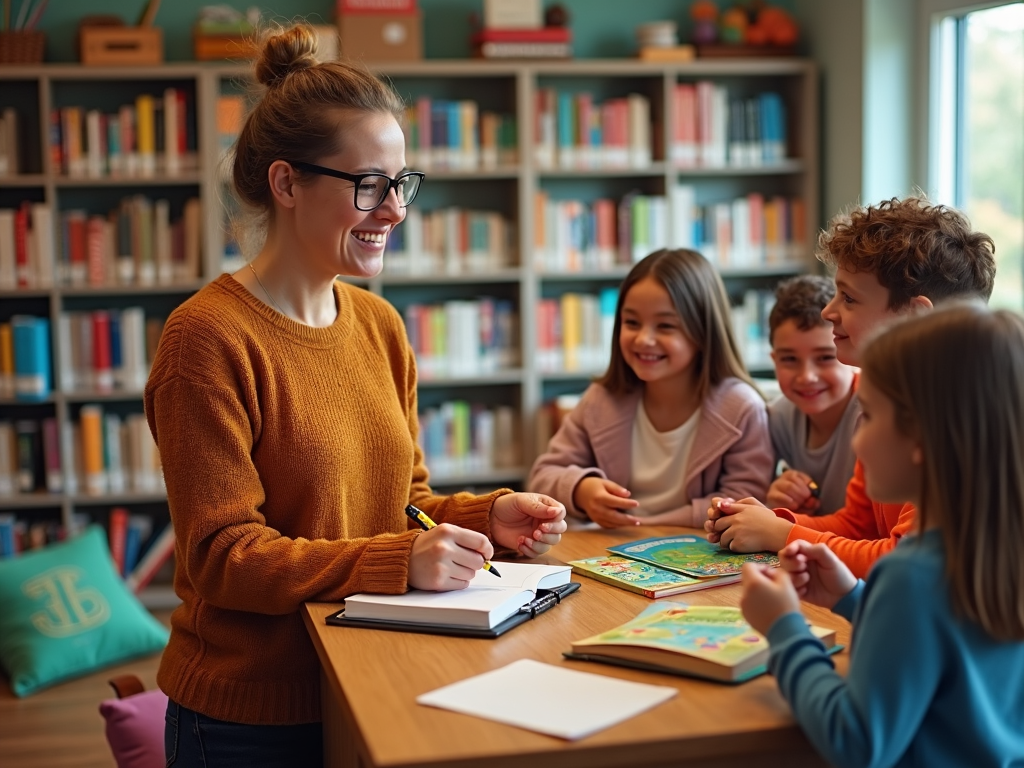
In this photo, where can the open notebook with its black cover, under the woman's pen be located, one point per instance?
(489, 608)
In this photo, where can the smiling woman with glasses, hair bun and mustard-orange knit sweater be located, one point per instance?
(284, 406)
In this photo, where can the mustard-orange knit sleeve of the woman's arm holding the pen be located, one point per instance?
(205, 438)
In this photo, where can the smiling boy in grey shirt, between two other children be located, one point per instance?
(813, 423)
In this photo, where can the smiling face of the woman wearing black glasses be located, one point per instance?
(337, 237)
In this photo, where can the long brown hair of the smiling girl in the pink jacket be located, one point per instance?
(701, 302)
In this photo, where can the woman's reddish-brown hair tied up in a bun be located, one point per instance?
(297, 116)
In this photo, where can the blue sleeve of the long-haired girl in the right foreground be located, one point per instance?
(871, 718)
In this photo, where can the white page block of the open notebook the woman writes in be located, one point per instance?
(485, 605)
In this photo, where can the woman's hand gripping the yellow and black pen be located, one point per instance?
(447, 558)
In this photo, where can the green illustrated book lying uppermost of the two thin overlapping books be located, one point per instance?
(692, 556)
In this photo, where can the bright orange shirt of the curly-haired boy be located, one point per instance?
(862, 532)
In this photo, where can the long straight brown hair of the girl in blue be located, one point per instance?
(956, 377)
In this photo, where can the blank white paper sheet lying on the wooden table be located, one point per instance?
(547, 699)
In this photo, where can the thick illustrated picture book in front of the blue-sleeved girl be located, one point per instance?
(707, 642)
